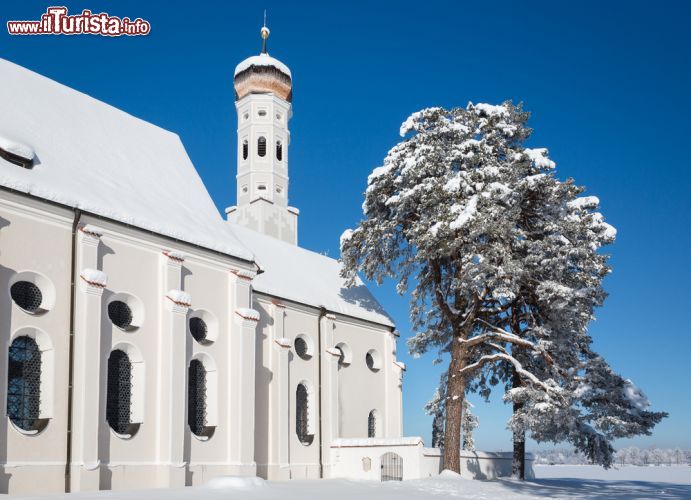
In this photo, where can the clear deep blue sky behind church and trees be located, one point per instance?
(607, 82)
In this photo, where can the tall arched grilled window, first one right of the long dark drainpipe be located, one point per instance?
(119, 397)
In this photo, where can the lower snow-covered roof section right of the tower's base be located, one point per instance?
(297, 274)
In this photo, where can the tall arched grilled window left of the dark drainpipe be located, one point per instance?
(24, 383)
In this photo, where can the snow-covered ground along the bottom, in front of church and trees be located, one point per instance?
(567, 481)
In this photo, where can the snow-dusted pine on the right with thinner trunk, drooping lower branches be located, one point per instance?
(561, 285)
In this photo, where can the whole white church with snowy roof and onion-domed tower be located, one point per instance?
(147, 342)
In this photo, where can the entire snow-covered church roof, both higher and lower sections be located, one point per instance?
(89, 155)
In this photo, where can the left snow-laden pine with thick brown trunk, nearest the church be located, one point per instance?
(440, 211)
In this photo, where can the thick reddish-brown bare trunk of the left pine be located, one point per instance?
(454, 406)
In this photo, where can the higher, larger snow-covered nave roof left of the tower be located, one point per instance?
(92, 156)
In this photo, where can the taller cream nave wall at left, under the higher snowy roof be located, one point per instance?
(36, 238)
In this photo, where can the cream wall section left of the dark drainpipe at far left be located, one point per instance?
(35, 239)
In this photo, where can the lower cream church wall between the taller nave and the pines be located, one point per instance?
(344, 408)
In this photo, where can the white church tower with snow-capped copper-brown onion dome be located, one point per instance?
(263, 95)
